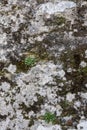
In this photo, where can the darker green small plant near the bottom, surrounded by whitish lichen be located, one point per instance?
(49, 117)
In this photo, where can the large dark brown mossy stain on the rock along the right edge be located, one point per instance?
(72, 59)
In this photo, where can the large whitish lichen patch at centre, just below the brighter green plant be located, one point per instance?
(37, 77)
